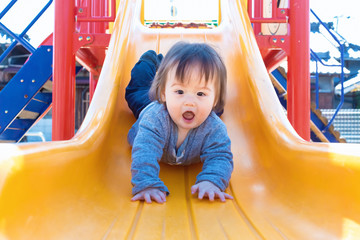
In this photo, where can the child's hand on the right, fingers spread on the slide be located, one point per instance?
(208, 189)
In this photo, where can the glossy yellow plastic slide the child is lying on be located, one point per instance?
(283, 187)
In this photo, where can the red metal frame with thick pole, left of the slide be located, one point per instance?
(79, 33)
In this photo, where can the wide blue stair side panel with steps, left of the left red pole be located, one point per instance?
(27, 96)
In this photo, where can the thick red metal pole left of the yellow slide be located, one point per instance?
(63, 126)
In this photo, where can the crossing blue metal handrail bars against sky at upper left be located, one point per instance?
(20, 38)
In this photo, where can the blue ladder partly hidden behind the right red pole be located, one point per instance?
(319, 130)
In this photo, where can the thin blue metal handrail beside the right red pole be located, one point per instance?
(341, 65)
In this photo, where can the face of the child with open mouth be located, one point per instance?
(189, 103)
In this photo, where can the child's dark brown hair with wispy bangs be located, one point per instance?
(184, 56)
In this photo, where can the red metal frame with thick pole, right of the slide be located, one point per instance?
(294, 46)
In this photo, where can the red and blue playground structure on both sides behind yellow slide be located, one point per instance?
(84, 36)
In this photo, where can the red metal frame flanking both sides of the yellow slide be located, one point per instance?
(70, 40)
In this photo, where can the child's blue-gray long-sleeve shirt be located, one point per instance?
(153, 139)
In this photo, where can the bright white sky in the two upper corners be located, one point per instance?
(346, 15)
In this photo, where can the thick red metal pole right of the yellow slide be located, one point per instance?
(298, 68)
